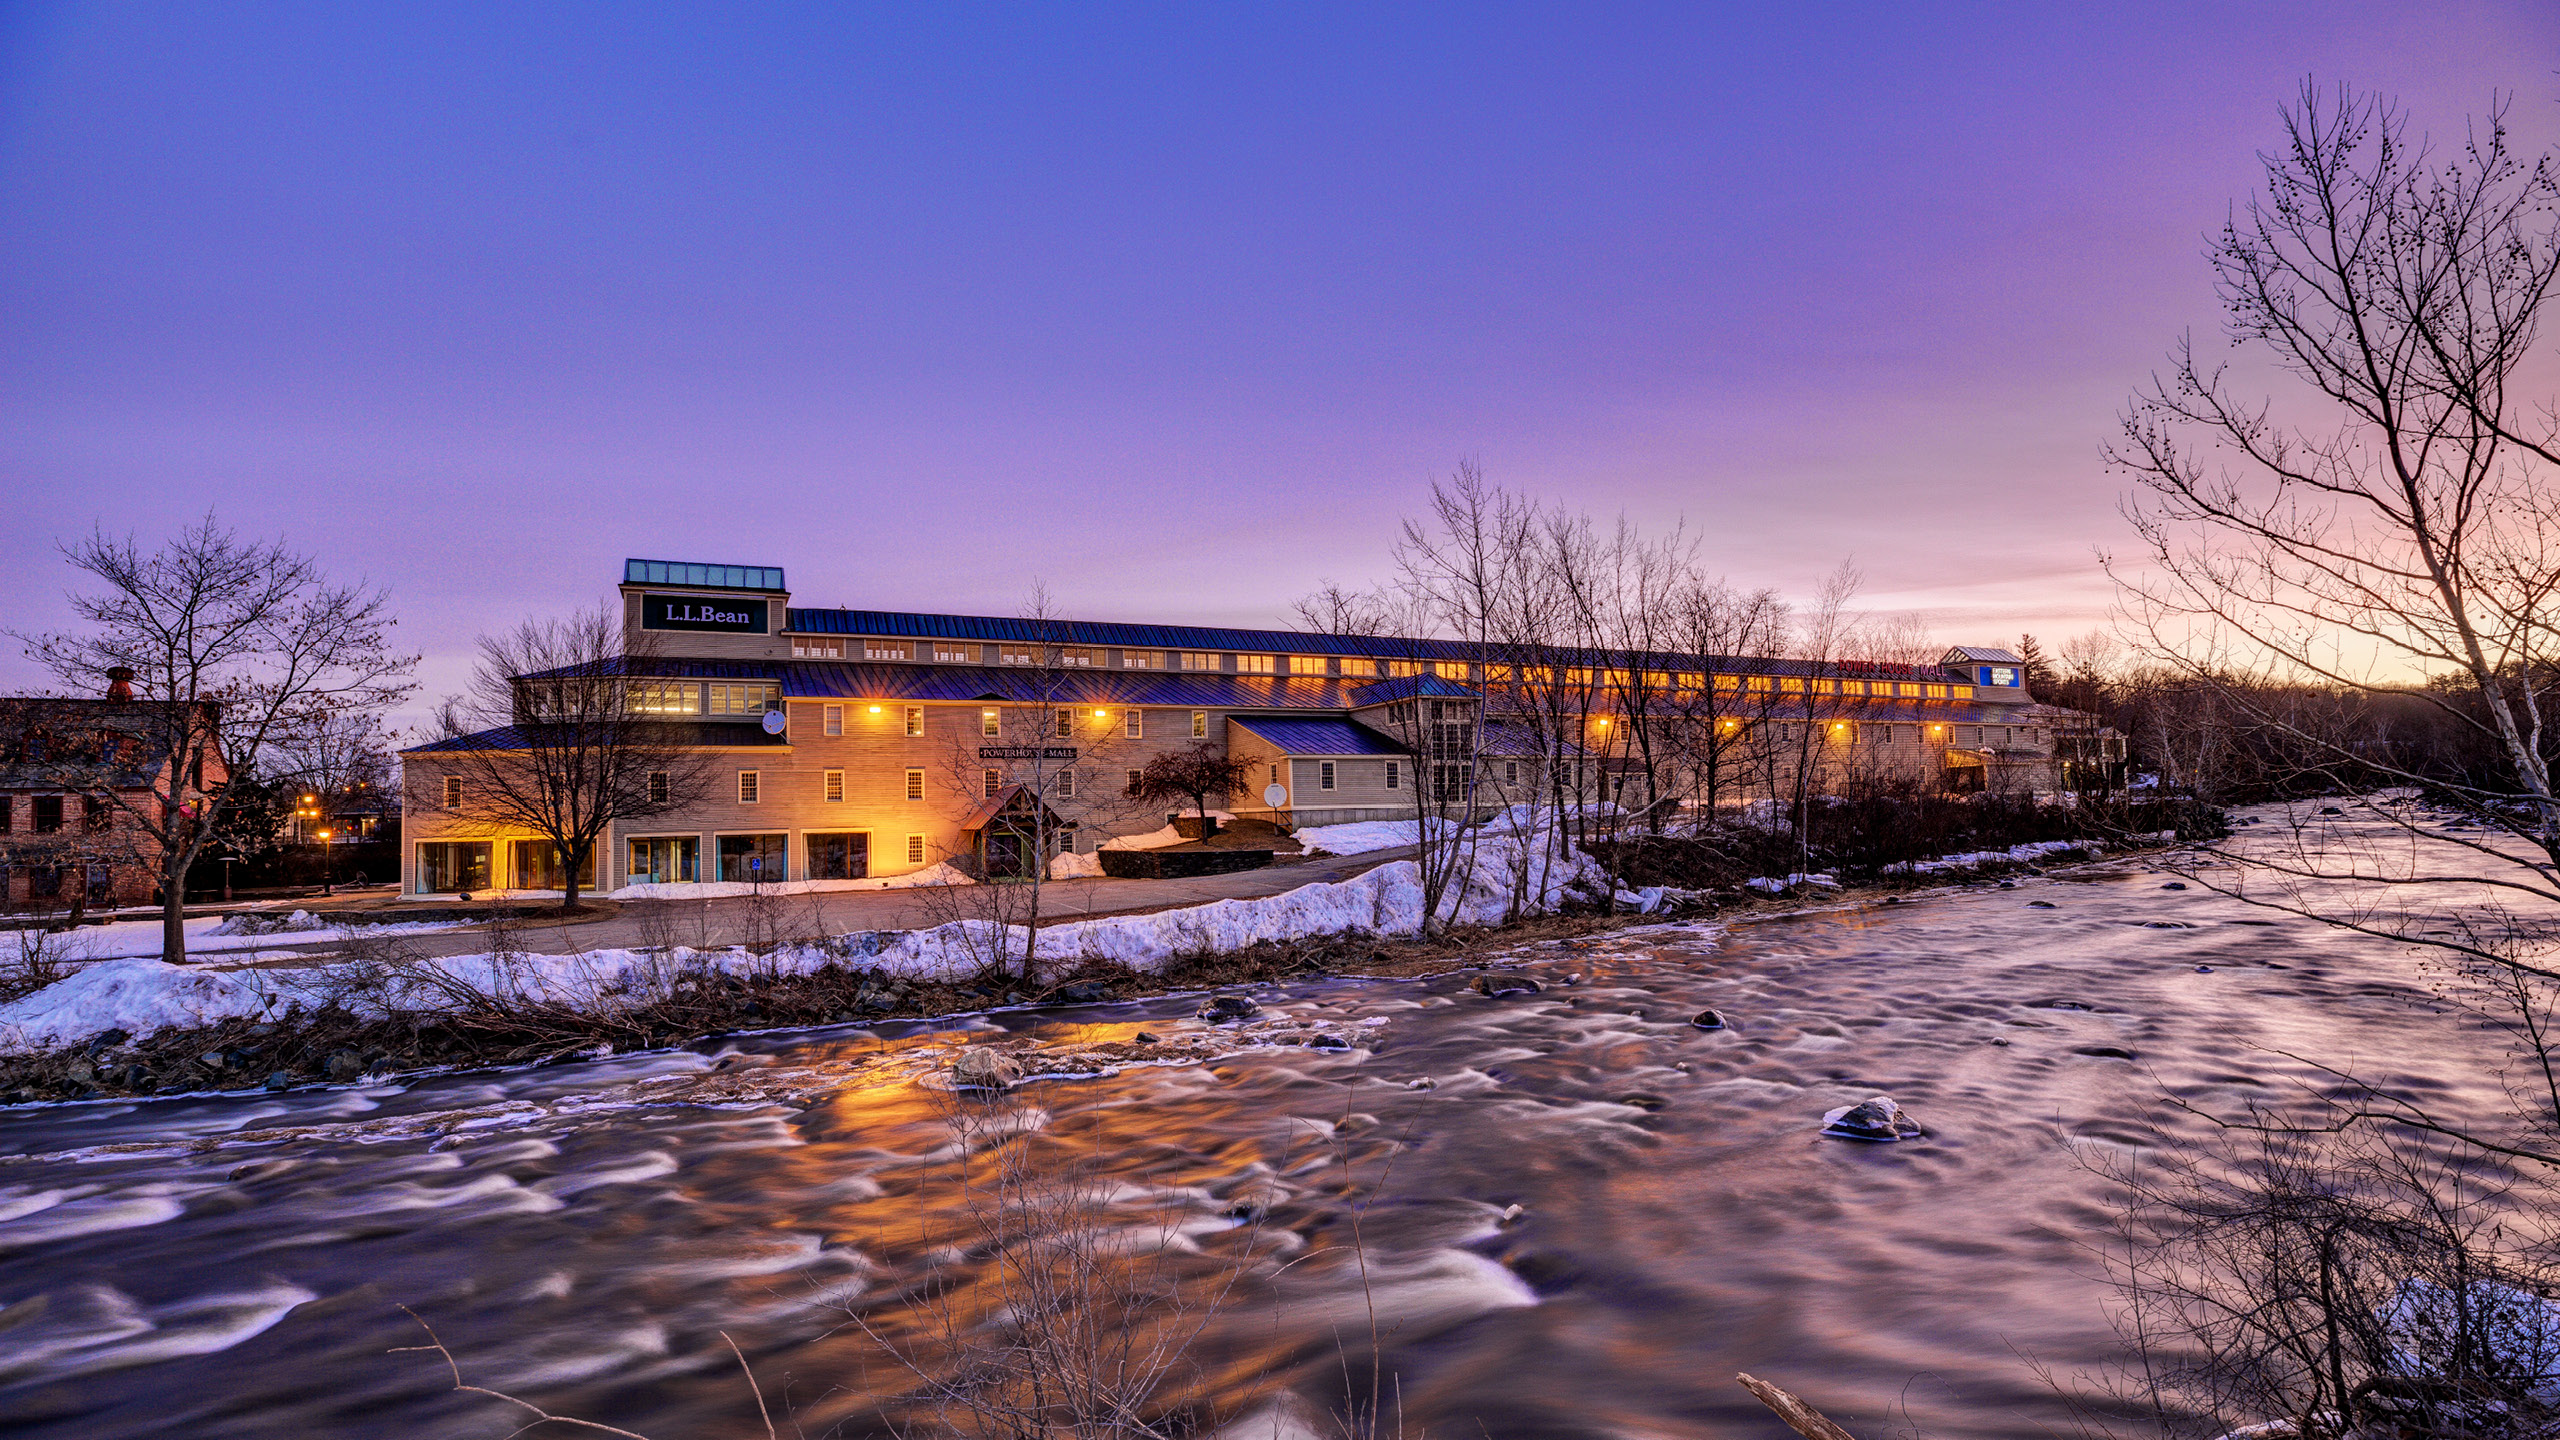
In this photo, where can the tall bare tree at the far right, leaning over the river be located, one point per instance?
(2380, 532)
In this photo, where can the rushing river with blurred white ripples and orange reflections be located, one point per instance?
(588, 1234)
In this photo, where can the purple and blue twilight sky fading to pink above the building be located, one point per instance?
(1176, 309)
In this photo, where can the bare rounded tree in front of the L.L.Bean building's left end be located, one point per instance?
(567, 739)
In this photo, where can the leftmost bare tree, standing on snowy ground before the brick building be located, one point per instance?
(237, 647)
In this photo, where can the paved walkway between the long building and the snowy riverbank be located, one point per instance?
(836, 913)
